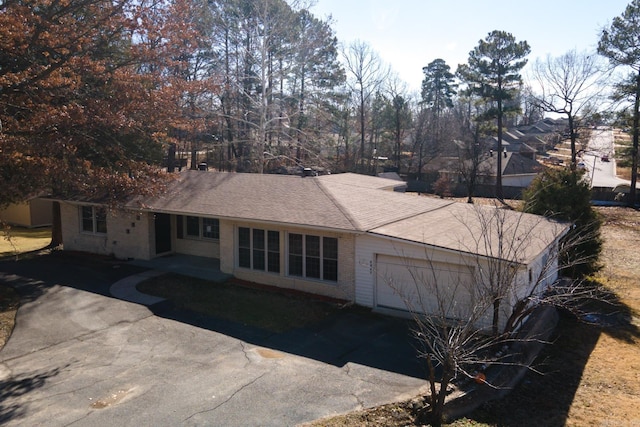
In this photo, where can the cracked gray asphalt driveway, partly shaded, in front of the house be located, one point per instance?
(79, 356)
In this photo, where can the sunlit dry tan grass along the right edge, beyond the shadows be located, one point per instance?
(610, 386)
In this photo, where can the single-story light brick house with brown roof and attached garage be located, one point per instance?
(345, 236)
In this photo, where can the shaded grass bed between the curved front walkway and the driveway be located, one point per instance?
(265, 309)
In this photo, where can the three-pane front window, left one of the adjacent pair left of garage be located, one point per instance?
(259, 249)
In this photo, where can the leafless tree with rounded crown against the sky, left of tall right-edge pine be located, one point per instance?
(571, 85)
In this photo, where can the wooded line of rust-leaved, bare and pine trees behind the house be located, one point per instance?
(93, 94)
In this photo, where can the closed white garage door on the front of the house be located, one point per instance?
(418, 285)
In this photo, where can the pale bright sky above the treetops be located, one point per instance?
(409, 34)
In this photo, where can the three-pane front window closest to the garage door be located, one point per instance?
(313, 257)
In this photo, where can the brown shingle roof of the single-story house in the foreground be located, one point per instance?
(346, 202)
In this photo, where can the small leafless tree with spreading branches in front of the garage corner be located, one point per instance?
(473, 317)
